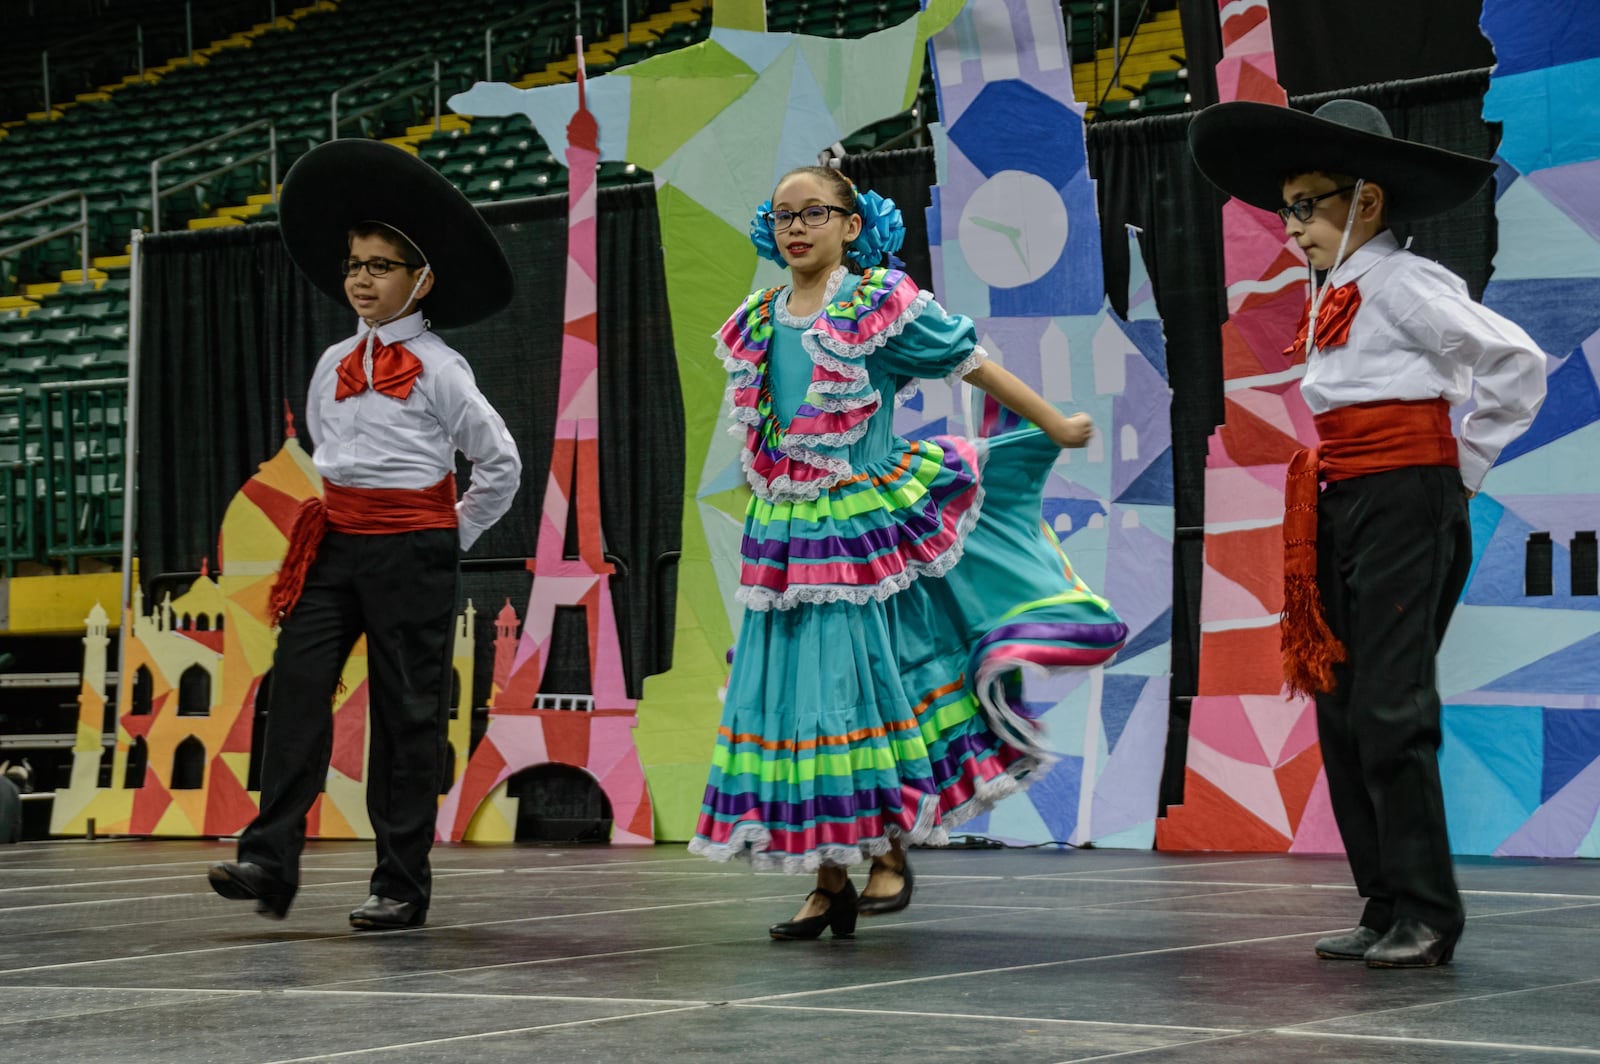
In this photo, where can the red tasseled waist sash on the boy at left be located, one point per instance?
(361, 513)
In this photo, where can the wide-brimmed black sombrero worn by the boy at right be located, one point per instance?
(1247, 150)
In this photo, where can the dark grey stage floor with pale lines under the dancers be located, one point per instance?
(118, 951)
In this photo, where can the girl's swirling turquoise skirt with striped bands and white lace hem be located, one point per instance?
(849, 726)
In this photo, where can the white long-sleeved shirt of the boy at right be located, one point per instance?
(1418, 335)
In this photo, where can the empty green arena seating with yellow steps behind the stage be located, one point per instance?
(158, 116)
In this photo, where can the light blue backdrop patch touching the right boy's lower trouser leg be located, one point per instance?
(1492, 766)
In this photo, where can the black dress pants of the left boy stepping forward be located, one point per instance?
(401, 591)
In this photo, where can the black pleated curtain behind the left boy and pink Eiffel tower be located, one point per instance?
(231, 334)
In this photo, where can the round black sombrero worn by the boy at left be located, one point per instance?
(345, 183)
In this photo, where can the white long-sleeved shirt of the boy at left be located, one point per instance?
(375, 441)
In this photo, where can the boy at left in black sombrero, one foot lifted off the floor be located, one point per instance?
(388, 410)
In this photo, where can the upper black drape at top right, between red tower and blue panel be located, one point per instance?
(1326, 46)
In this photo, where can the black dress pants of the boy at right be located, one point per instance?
(1393, 554)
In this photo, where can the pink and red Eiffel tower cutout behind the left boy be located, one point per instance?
(530, 726)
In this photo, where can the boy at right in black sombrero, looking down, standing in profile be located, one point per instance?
(1378, 556)
